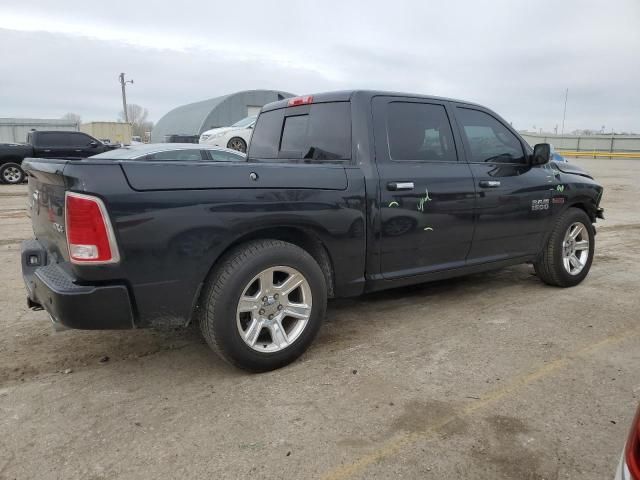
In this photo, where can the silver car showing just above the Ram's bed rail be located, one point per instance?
(188, 152)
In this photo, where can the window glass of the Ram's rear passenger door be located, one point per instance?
(419, 131)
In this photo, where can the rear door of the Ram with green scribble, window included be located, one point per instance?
(426, 192)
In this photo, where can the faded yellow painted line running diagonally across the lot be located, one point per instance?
(398, 442)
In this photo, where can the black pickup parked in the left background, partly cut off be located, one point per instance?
(46, 144)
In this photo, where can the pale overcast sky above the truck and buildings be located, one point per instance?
(516, 57)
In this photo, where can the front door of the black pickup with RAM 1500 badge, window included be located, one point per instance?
(513, 204)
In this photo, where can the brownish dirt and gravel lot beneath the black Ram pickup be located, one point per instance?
(488, 376)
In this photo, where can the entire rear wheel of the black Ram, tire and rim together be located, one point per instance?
(263, 305)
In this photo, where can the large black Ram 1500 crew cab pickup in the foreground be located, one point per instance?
(342, 193)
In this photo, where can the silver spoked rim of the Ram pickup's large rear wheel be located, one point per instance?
(274, 309)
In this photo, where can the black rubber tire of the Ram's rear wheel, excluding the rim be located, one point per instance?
(225, 285)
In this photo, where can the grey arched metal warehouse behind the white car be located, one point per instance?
(195, 118)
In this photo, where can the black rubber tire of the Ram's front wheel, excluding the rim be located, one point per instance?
(550, 266)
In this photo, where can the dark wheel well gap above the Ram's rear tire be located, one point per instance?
(303, 239)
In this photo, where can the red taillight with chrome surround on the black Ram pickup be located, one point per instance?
(90, 238)
